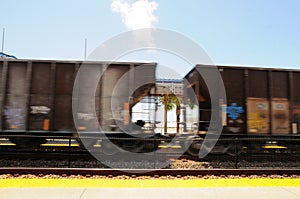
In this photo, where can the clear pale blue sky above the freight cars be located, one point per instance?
(232, 32)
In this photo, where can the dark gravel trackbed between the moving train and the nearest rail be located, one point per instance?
(60, 159)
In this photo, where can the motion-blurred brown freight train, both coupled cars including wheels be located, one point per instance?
(36, 98)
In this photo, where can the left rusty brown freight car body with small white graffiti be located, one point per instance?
(36, 95)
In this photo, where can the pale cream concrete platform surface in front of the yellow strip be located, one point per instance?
(157, 193)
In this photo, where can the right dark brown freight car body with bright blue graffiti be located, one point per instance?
(260, 101)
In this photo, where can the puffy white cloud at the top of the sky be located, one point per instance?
(137, 14)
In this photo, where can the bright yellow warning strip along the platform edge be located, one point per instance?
(105, 183)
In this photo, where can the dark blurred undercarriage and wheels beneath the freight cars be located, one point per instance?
(113, 143)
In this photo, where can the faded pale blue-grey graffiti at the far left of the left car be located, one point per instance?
(14, 117)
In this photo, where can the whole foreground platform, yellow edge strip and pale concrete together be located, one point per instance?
(171, 189)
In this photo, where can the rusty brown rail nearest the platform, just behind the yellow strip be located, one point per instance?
(148, 172)
